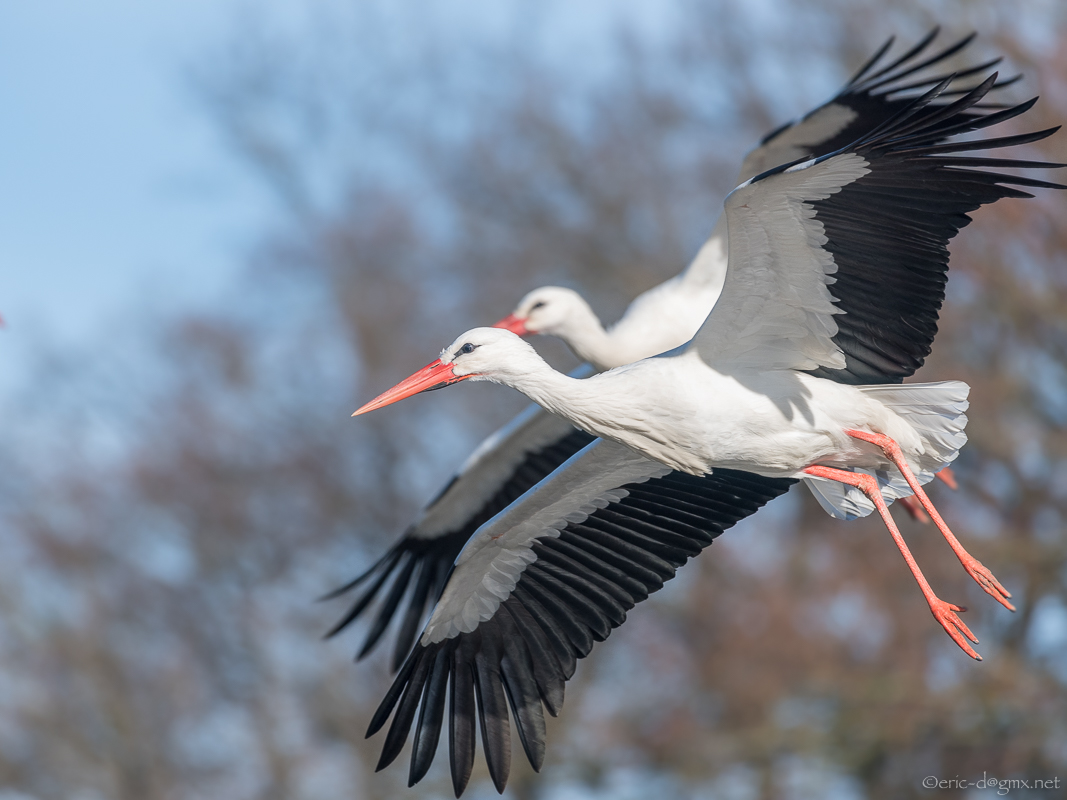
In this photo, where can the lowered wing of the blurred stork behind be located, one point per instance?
(501, 470)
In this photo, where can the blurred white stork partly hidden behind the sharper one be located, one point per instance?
(517, 457)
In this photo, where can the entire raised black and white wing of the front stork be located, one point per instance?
(838, 265)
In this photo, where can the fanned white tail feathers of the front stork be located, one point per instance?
(937, 413)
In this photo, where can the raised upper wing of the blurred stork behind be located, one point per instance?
(875, 94)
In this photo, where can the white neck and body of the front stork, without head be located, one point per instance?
(677, 410)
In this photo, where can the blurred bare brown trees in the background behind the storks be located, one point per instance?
(172, 508)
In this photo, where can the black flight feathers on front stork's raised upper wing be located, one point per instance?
(889, 231)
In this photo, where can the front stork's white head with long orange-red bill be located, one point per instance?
(481, 355)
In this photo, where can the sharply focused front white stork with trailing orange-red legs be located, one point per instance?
(837, 257)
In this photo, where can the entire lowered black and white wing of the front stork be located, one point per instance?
(537, 587)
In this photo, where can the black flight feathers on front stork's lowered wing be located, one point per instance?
(580, 588)
